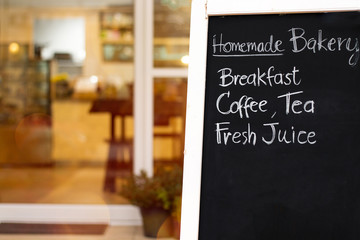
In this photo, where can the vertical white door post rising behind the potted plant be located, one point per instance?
(143, 114)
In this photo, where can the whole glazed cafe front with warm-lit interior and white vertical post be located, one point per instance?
(91, 92)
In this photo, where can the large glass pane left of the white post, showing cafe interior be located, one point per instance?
(66, 101)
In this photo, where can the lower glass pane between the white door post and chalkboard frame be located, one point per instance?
(169, 121)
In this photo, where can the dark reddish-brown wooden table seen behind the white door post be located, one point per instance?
(123, 108)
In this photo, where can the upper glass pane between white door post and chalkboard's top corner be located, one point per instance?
(171, 32)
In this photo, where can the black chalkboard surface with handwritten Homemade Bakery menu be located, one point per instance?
(281, 143)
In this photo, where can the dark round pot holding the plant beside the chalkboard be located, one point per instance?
(156, 222)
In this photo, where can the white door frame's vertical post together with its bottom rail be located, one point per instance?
(101, 213)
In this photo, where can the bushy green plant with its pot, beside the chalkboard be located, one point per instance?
(159, 199)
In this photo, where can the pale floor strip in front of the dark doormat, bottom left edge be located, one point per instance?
(112, 233)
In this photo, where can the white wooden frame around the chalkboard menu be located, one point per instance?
(201, 9)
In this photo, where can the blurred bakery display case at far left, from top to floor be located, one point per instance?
(25, 109)
